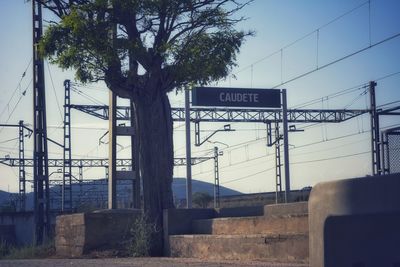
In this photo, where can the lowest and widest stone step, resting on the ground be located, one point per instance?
(281, 248)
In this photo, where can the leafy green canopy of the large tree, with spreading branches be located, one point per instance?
(134, 45)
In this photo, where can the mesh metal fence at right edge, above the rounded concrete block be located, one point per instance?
(391, 150)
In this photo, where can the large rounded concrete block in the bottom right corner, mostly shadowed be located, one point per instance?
(355, 222)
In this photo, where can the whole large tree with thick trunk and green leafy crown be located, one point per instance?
(143, 49)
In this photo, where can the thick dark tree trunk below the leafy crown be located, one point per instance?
(155, 130)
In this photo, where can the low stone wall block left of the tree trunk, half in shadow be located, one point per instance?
(80, 233)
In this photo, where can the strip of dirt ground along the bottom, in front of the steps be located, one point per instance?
(138, 262)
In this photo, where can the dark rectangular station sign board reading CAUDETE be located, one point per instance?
(236, 97)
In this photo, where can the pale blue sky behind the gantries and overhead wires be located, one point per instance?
(293, 37)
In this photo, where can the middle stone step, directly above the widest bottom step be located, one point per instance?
(285, 224)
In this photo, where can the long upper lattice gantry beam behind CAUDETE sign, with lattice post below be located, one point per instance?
(266, 116)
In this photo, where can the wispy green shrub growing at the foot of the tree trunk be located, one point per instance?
(140, 236)
